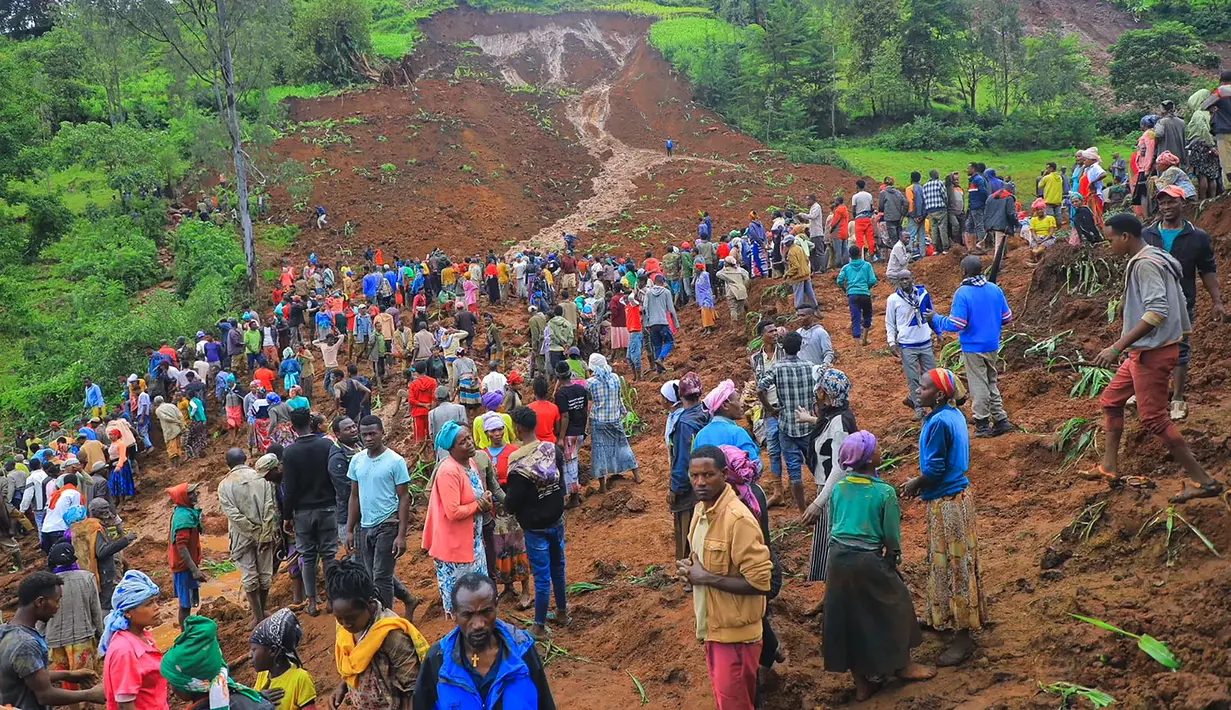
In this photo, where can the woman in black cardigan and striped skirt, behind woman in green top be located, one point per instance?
(832, 425)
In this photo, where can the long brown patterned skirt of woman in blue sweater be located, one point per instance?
(955, 599)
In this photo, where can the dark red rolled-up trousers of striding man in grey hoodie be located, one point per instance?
(1145, 373)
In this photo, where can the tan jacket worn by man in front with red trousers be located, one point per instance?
(734, 546)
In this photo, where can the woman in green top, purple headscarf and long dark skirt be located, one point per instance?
(870, 620)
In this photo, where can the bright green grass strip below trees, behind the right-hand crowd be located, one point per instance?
(878, 163)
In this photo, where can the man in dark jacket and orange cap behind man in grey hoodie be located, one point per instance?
(1192, 248)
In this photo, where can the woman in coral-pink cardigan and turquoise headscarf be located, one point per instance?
(454, 532)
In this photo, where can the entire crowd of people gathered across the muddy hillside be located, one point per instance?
(502, 451)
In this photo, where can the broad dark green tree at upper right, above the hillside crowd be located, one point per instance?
(1147, 65)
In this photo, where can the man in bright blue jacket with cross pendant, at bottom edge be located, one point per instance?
(484, 663)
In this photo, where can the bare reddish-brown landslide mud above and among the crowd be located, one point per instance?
(601, 104)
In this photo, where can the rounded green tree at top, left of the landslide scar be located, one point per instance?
(333, 40)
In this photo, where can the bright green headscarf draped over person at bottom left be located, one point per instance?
(195, 665)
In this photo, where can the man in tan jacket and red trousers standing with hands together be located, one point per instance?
(729, 579)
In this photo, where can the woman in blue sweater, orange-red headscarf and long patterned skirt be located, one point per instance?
(955, 595)
